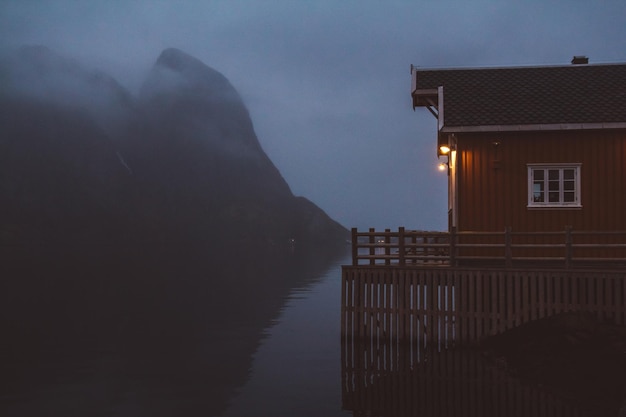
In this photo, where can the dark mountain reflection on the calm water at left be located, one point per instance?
(164, 332)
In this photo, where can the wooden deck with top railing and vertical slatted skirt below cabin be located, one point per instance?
(433, 288)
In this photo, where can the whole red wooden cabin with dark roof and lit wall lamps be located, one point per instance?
(539, 151)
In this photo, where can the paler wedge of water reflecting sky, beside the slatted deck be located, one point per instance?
(297, 369)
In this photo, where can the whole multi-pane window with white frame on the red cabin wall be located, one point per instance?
(554, 185)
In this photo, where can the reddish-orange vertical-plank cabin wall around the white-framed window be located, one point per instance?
(492, 176)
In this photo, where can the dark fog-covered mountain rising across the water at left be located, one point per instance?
(82, 161)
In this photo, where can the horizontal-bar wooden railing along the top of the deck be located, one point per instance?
(506, 248)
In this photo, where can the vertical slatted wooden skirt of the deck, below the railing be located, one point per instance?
(428, 307)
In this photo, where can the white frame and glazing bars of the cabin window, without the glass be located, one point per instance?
(547, 181)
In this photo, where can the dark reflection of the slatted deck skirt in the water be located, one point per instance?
(384, 378)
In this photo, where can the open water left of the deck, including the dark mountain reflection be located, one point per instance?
(169, 334)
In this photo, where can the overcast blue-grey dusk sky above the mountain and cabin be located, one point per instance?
(327, 82)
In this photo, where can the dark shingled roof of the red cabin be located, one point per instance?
(549, 95)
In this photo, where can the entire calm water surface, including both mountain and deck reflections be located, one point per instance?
(225, 336)
